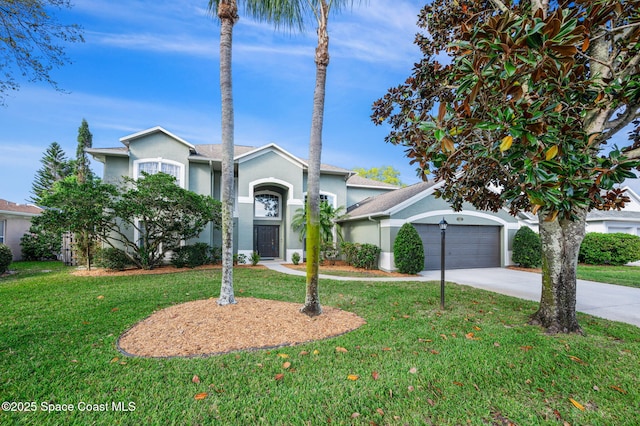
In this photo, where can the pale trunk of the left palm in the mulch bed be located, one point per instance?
(228, 13)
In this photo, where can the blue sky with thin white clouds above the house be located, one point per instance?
(146, 64)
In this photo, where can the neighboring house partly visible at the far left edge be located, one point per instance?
(15, 221)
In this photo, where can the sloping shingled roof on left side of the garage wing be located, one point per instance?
(384, 204)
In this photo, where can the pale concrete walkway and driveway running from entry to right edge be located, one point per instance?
(613, 302)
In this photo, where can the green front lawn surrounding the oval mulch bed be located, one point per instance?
(57, 346)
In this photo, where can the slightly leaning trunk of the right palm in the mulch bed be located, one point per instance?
(312, 300)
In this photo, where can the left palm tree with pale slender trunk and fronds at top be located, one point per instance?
(278, 12)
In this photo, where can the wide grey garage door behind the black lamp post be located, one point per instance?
(467, 246)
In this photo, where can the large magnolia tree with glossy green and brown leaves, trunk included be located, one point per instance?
(514, 106)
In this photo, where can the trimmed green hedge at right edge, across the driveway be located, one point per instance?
(609, 249)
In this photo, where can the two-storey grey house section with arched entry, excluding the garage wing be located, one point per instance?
(270, 185)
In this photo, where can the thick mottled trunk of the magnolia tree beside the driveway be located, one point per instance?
(561, 239)
